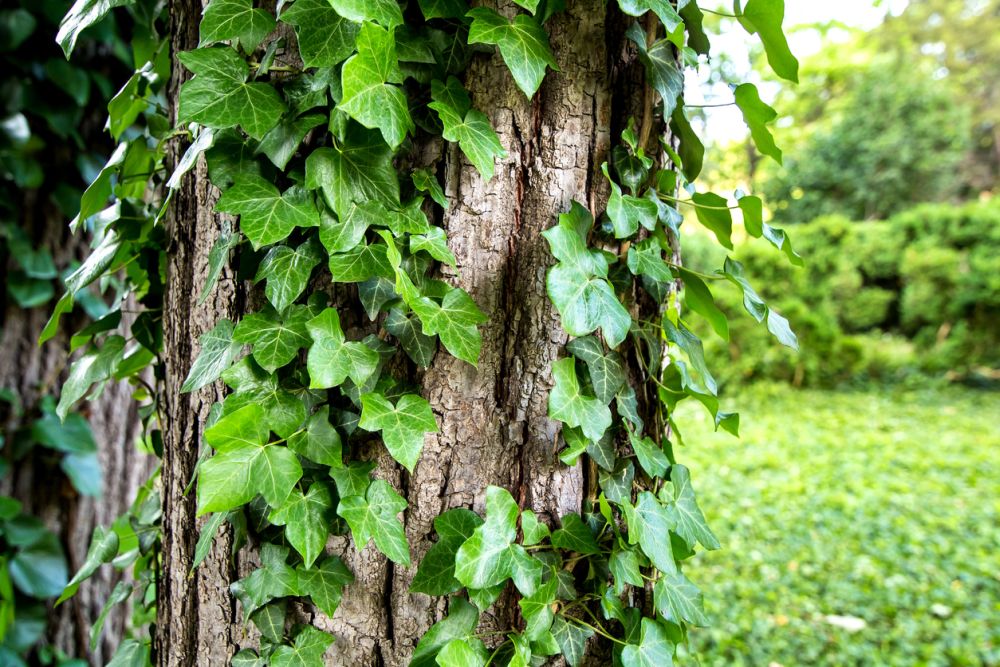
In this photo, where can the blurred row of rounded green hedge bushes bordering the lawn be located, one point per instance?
(877, 300)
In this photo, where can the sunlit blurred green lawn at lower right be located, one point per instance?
(881, 506)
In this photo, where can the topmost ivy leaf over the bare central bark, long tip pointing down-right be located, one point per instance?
(523, 43)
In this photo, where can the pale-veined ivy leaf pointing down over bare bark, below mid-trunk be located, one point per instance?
(403, 426)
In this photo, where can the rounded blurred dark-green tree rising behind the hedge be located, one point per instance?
(889, 137)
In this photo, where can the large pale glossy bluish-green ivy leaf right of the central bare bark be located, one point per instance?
(576, 285)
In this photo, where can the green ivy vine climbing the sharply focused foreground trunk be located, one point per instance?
(309, 149)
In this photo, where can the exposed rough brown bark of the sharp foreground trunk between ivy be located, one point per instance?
(494, 428)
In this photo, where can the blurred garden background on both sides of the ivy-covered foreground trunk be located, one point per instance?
(860, 509)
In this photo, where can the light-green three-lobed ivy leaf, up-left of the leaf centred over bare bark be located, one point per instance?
(331, 358)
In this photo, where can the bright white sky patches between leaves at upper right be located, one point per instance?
(725, 124)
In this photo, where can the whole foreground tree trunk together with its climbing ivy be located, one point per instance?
(366, 374)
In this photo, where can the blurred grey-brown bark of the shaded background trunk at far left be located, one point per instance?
(33, 372)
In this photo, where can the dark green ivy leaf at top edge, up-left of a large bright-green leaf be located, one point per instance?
(325, 38)
